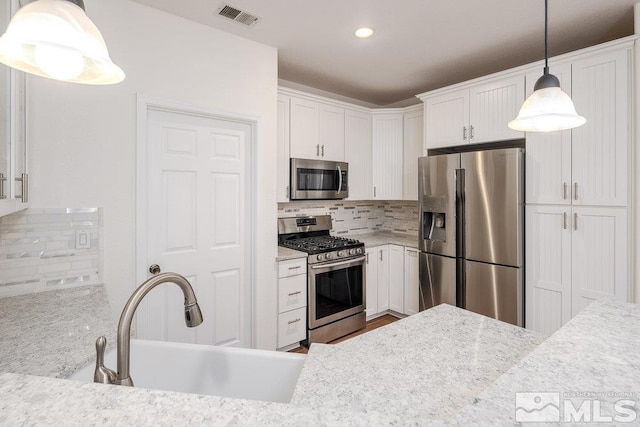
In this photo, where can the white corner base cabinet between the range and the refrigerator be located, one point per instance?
(392, 280)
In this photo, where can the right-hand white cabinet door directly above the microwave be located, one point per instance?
(331, 128)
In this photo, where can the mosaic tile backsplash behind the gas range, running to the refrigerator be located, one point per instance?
(359, 217)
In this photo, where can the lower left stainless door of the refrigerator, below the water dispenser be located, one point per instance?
(437, 281)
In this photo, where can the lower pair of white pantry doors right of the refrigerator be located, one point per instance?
(574, 255)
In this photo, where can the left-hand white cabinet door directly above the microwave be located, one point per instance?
(304, 129)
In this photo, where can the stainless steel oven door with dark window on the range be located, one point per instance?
(336, 291)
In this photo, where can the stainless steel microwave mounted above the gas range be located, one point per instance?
(319, 179)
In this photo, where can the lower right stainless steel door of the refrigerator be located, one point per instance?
(494, 291)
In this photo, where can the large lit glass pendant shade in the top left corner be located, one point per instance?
(56, 39)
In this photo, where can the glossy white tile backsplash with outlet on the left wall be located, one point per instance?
(39, 250)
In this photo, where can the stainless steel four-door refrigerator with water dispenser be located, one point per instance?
(471, 232)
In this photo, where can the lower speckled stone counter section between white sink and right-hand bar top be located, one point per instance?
(426, 367)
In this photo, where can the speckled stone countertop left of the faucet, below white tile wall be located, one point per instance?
(53, 333)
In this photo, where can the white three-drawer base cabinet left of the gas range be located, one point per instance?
(292, 302)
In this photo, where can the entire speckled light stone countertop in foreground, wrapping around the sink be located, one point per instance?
(442, 366)
